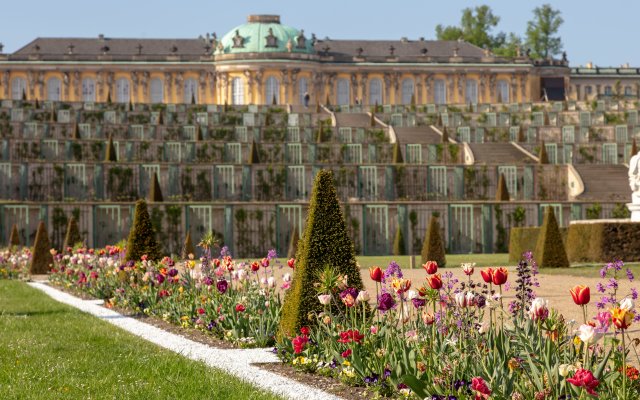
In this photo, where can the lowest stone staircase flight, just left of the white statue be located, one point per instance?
(604, 182)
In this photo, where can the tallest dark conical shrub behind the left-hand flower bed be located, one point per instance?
(142, 237)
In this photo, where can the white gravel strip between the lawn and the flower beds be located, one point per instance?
(234, 361)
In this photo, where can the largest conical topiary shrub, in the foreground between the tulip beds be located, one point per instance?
(325, 243)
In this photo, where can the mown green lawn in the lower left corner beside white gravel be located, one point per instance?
(53, 351)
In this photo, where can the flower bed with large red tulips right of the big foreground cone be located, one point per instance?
(450, 339)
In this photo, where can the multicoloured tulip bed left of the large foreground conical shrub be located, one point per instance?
(235, 301)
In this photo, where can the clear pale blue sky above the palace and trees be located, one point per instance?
(602, 32)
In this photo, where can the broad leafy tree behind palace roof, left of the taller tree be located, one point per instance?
(475, 27)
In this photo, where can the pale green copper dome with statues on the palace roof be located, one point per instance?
(264, 34)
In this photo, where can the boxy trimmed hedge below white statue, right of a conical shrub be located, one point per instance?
(604, 242)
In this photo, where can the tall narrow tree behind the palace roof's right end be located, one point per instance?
(542, 31)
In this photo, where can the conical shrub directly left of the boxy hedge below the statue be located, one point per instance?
(550, 251)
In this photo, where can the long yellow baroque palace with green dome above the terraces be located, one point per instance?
(266, 62)
